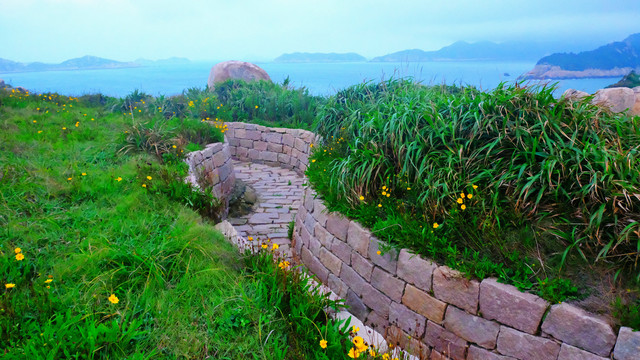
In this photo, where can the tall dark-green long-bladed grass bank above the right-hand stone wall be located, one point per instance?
(509, 183)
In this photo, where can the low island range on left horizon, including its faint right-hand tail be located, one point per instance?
(83, 63)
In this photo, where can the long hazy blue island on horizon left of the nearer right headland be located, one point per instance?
(479, 51)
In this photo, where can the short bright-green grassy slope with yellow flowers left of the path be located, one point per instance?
(103, 253)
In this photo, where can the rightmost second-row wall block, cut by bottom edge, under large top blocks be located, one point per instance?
(524, 346)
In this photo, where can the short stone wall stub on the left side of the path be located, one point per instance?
(213, 166)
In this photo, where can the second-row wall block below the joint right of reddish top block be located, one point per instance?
(471, 328)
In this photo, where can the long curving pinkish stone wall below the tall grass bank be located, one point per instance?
(435, 311)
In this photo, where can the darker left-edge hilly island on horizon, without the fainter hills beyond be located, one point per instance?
(82, 63)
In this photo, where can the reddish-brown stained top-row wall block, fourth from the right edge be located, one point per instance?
(452, 287)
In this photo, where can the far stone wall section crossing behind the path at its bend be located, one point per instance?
(288, 148)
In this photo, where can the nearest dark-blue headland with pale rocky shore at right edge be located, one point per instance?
(612, 60)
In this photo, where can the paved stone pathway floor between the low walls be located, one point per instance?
(279, 196)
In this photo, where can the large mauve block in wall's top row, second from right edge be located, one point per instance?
(577, 327)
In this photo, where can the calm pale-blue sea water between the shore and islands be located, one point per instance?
(319, 78)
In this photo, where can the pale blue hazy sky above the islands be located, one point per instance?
(260, 30)
